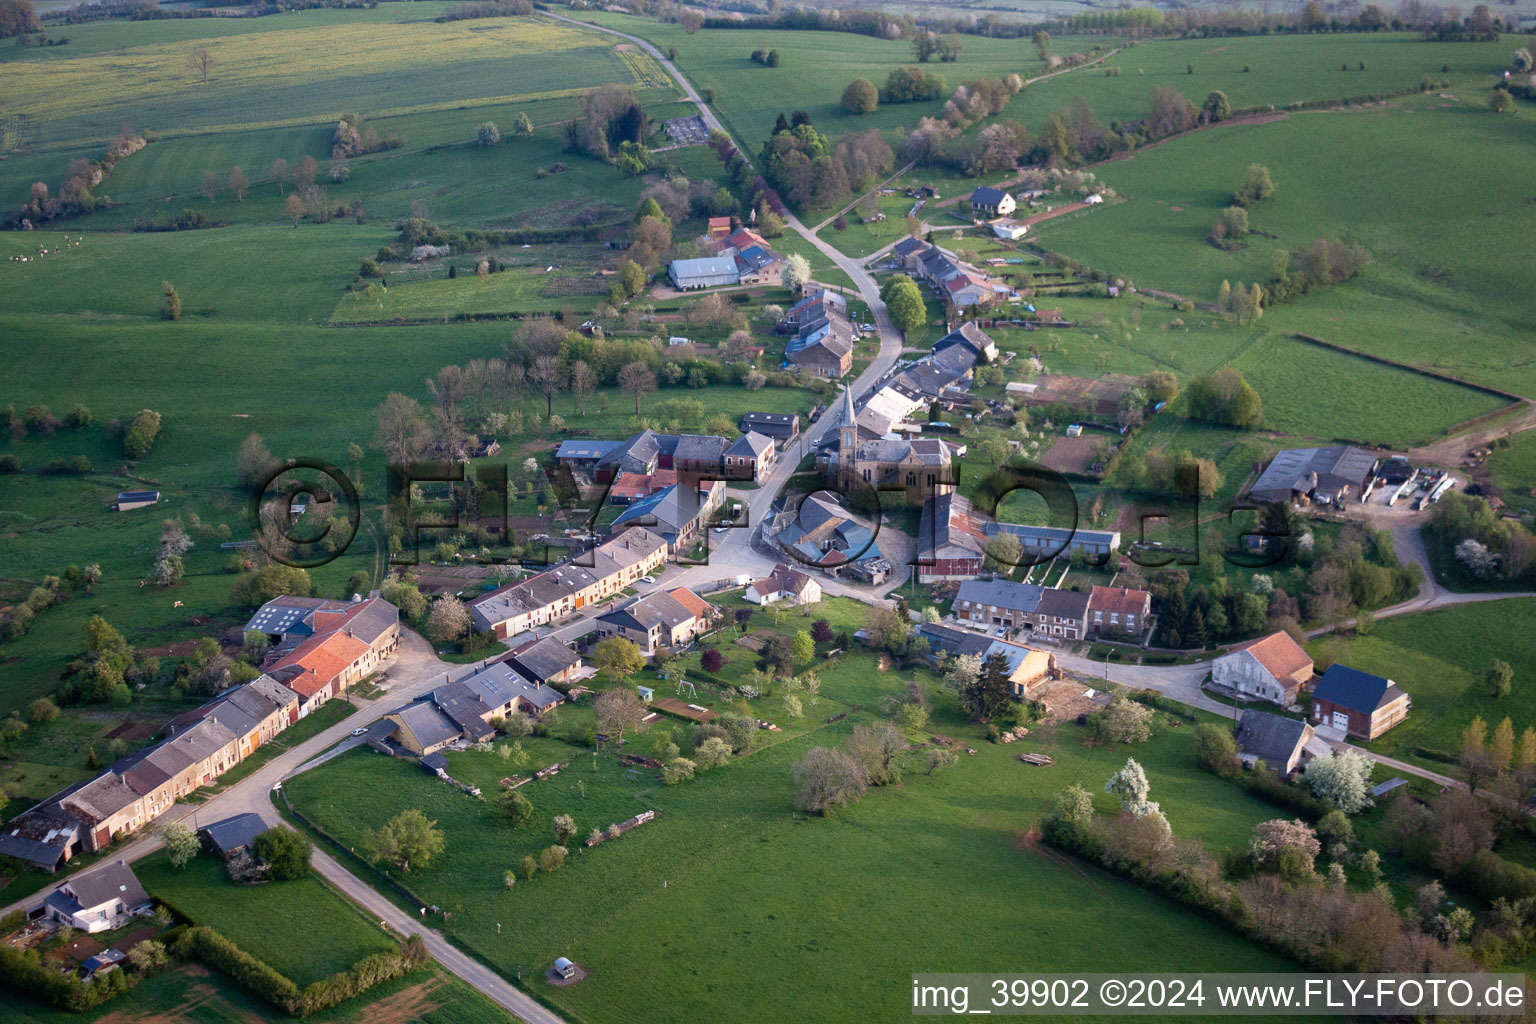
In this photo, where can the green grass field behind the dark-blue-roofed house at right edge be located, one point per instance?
(1440, 658)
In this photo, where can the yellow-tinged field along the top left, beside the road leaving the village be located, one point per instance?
(266, 76)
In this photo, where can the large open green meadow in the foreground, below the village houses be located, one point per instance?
(819, 888)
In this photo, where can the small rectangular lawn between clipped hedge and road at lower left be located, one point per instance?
(262, 919)
